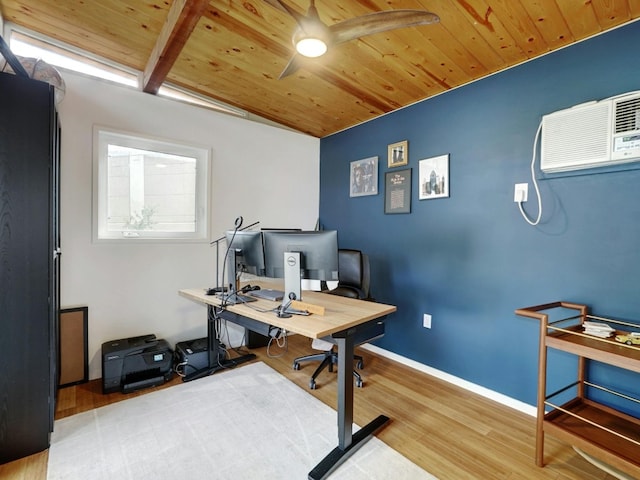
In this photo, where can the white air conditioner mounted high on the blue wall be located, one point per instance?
(594, 134)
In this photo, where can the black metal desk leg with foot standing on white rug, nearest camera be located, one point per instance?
(348, 442)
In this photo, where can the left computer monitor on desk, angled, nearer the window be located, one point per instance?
(245, 254)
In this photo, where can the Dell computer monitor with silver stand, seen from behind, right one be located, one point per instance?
(317, 259)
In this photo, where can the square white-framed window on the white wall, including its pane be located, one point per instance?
(150, 189)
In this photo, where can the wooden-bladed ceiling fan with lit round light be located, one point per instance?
(312, 37)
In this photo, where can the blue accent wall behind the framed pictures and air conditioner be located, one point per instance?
(470, 259)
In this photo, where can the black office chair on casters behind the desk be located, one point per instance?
(353, 282)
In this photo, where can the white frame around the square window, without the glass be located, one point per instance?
(102, 136)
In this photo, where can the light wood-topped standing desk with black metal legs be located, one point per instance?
(346, 322)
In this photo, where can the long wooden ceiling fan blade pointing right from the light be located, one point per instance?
(379, 22)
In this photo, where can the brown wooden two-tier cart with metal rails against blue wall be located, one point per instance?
(599, 430)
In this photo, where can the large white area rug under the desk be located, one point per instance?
(249, 422)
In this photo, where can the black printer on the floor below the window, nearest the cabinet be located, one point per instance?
(134, 363)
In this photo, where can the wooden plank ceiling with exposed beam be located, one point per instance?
(235, 50)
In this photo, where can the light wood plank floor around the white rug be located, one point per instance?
(449, 432)
